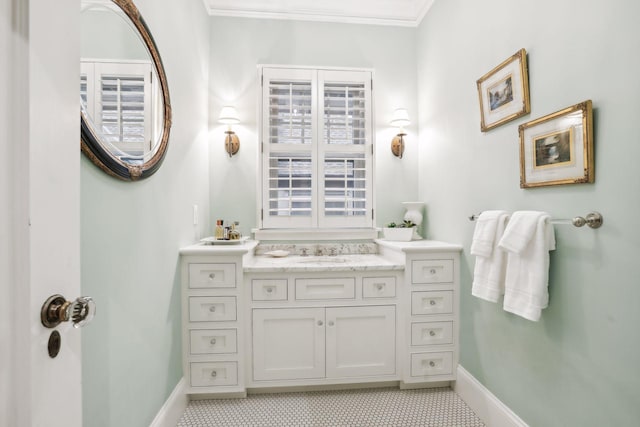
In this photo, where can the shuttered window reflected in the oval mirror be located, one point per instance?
(114, 95)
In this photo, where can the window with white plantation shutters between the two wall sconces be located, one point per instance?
(316, 149)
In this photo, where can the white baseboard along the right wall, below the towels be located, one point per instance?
(487, 407)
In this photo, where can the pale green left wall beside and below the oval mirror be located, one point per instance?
(131, 233)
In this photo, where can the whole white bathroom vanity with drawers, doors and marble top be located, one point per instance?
(253, 322)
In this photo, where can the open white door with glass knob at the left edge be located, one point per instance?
(39, 217)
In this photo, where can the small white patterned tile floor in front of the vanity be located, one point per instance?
(436, 407)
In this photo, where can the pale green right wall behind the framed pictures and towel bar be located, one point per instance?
(578, 366)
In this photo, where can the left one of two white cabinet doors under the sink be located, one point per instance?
(288, 343)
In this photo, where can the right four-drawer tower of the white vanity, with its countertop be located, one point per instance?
(431, 298)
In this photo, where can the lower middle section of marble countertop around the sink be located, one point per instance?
(266, 264)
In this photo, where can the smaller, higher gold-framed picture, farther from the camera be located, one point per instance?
(504, 92)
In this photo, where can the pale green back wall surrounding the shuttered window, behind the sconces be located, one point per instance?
(239, 45)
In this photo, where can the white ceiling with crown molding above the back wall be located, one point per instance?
(382, 12)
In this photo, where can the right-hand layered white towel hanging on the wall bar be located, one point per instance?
(528, 238)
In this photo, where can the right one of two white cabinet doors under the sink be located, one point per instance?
(361, 341)
